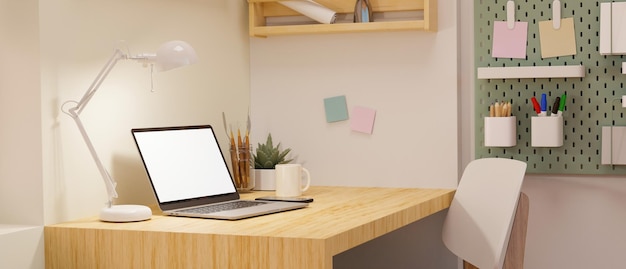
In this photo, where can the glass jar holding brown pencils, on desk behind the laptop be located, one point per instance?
(242, 165)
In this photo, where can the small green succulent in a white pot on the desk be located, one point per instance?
(266, 158)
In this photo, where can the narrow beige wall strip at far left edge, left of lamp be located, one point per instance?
(20, 114)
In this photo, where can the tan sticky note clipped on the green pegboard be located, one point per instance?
(557, 42)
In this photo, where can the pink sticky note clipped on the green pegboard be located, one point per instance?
(509, 43)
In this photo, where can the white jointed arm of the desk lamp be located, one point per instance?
(75, 111)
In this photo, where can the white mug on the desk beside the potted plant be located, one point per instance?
(289, 179)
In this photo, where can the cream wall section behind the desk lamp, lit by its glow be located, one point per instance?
(78, 37)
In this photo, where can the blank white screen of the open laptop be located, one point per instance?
(184, 163)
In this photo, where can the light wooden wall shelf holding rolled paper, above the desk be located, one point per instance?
(261, 10)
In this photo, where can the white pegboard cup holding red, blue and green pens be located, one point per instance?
(546, 131)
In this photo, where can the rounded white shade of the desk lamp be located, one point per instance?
(174, 54)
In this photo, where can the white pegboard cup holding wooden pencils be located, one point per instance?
(500, 131)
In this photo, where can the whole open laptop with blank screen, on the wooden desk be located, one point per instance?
(190, 177)
